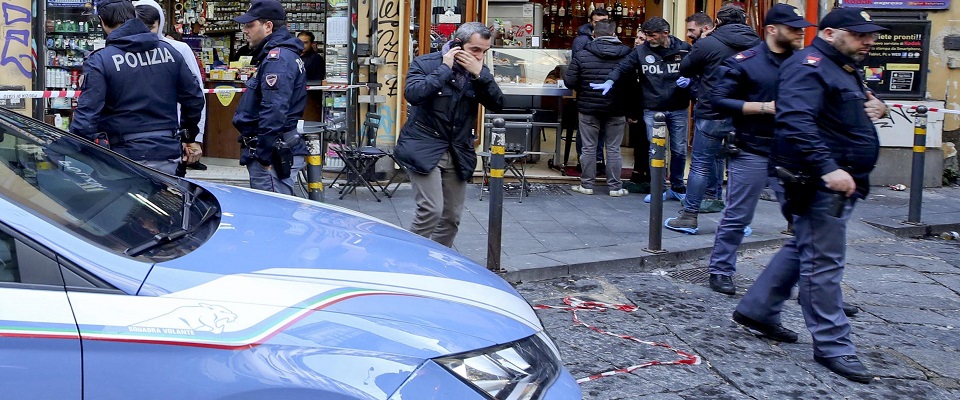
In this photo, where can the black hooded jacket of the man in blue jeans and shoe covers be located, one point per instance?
(706, 56)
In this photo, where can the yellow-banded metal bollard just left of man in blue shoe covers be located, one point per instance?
(658, 154)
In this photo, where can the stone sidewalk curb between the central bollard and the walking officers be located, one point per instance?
(644, 262)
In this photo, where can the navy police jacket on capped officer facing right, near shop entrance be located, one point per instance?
(275, 98)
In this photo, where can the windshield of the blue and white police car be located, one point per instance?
(100, 196)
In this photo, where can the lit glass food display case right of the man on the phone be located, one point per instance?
(535, 72)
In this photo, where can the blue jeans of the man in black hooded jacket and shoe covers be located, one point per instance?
(707, 143)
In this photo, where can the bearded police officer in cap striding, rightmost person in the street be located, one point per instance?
(824, 147)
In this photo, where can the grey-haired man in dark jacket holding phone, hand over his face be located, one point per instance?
(436, 143)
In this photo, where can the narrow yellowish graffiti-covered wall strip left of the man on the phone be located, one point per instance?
(388, 50)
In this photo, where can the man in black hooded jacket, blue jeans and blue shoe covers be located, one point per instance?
(710, 126)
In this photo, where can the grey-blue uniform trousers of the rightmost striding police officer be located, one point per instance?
(814, 260)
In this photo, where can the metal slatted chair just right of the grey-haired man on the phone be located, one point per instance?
(516, 152)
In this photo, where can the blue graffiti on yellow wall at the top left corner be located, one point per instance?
(17, 52)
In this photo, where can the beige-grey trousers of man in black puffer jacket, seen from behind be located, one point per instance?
(591, 127)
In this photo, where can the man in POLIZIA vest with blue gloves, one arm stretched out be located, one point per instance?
(657, 63)
